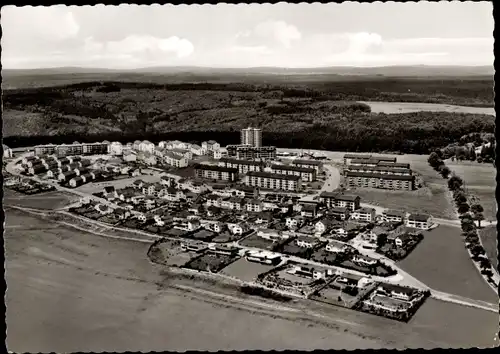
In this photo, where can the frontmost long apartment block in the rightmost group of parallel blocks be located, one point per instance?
(378, 180)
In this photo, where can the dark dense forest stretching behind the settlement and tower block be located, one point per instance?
(310, 116)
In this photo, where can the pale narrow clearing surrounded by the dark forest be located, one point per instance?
(408, 107)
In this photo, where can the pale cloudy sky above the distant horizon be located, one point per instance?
(248, 35)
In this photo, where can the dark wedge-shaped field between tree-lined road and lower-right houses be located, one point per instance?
(442, 262)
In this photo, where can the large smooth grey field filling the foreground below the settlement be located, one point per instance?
(83, 287)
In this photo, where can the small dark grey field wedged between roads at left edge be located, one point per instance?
(48, 200)
